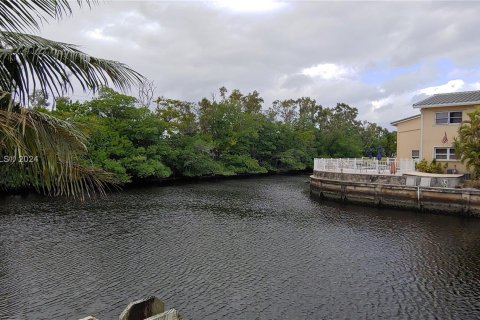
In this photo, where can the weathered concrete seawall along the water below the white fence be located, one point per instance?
(391, 191)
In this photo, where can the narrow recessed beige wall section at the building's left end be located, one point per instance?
(408, 138)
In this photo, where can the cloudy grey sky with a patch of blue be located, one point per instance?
(380, 57)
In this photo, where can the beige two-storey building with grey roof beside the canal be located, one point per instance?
(430, 134)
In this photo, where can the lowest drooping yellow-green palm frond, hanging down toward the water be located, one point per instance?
(50, 149)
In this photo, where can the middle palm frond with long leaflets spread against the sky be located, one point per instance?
(29, 62)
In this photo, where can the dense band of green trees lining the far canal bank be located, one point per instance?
(231, 135)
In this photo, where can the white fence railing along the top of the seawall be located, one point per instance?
(365, 165)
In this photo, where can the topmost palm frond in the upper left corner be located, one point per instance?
(23, 15)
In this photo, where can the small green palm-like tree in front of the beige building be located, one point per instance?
(467, 144)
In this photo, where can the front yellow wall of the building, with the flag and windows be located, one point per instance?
(433, 133)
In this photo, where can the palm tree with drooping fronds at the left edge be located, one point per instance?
(36, 149)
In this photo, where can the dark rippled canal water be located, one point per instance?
(237, 249)
